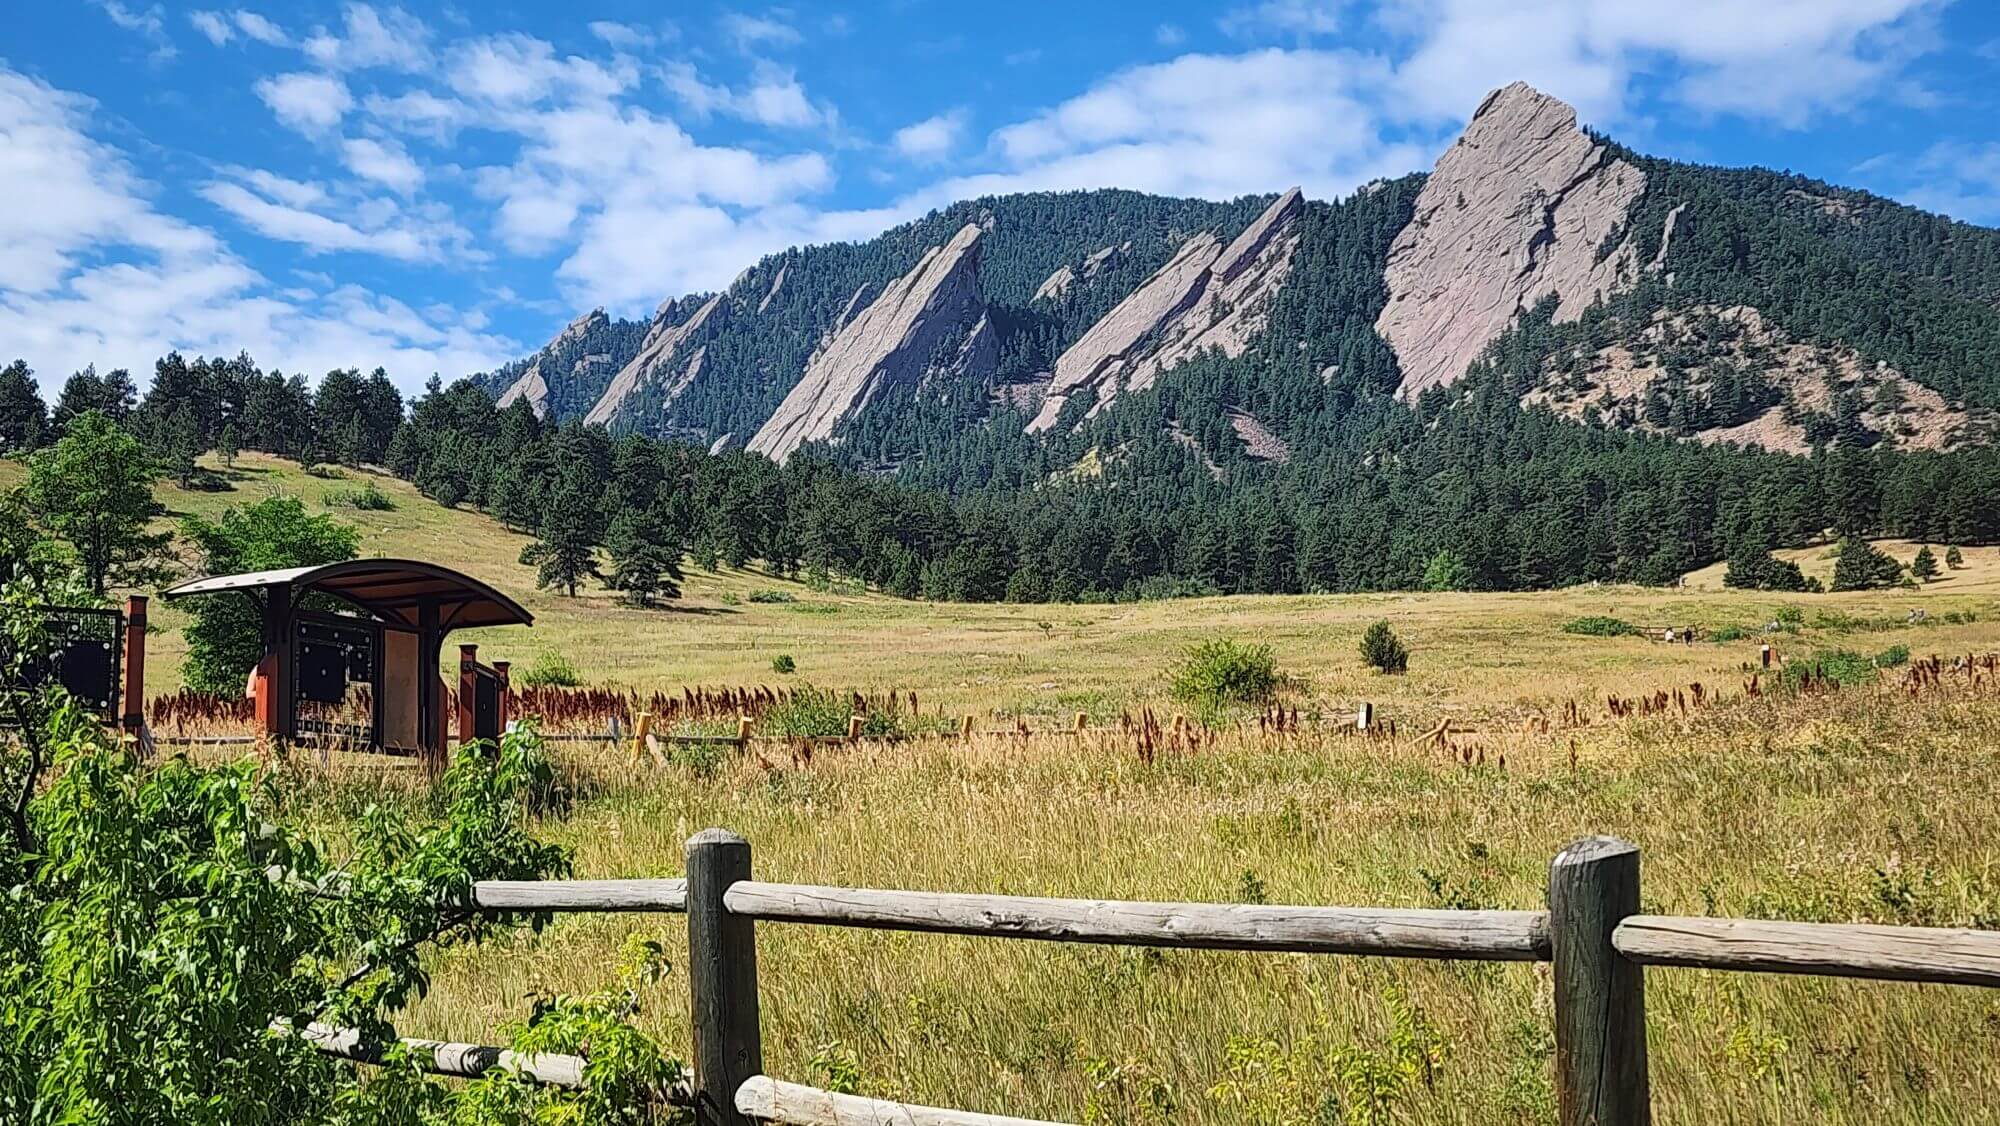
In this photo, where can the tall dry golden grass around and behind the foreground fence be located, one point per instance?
(1855, 805)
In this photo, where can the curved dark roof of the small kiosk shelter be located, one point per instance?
(387, 589)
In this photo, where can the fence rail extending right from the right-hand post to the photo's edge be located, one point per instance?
(1823, 949)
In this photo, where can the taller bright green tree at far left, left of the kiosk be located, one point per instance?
(93, 491)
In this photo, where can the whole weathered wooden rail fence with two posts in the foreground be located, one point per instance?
(1591, 931)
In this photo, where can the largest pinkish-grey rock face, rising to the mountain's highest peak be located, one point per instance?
(1513, 213)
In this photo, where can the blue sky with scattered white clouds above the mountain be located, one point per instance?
(439, 189)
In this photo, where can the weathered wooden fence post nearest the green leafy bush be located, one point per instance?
(721, 979)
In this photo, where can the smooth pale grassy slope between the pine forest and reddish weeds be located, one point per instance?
(1499, 655)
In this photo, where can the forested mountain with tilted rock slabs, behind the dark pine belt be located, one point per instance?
(1021, 337)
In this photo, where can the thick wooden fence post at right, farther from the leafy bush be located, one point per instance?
(1601, 997)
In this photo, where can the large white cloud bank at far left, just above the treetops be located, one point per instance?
(95, 275)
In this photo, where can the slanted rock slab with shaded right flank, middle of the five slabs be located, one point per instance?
(927, 321)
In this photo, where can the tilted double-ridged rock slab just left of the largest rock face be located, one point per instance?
(1207, 297)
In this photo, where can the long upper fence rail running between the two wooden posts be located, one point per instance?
(1483, 935)
